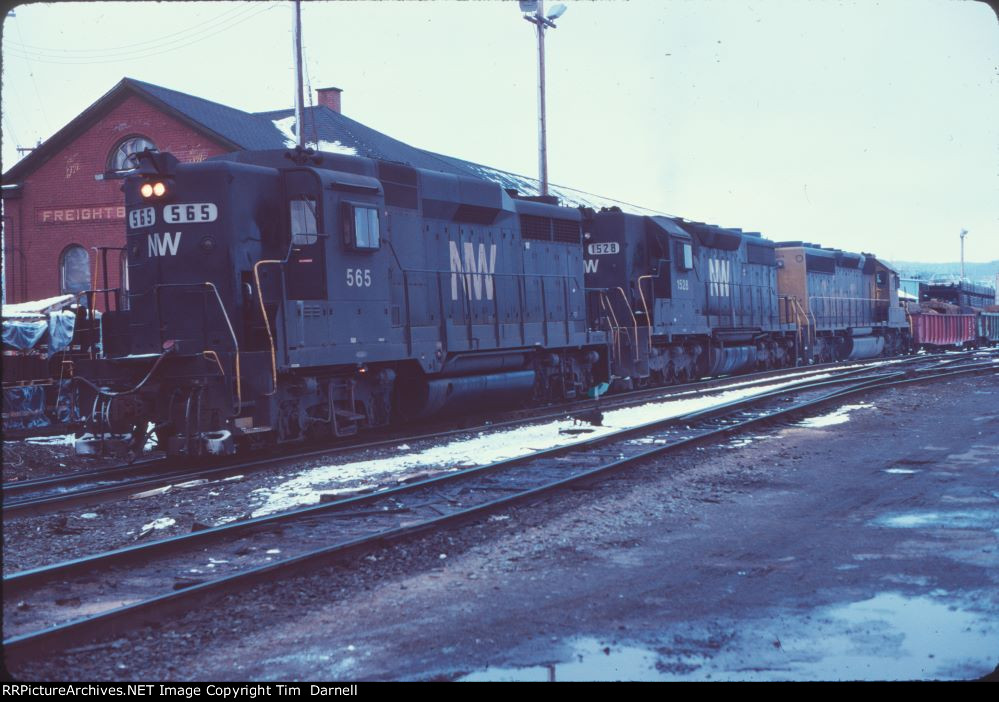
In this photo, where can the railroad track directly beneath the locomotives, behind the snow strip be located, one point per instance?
(56, 493)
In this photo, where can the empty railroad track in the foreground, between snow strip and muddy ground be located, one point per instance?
(44, 607)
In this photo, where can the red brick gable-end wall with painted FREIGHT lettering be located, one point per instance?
(62, 204)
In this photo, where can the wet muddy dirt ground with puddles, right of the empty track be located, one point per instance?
(861, 546)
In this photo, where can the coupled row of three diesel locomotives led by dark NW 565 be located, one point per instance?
(276, 296)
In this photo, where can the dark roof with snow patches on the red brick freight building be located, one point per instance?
(327, 129)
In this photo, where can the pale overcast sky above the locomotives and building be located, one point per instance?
(867, 126)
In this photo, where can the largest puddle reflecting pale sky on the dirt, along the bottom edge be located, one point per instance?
(887, 637)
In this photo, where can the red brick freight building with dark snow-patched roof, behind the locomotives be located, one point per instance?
(58, 211)
